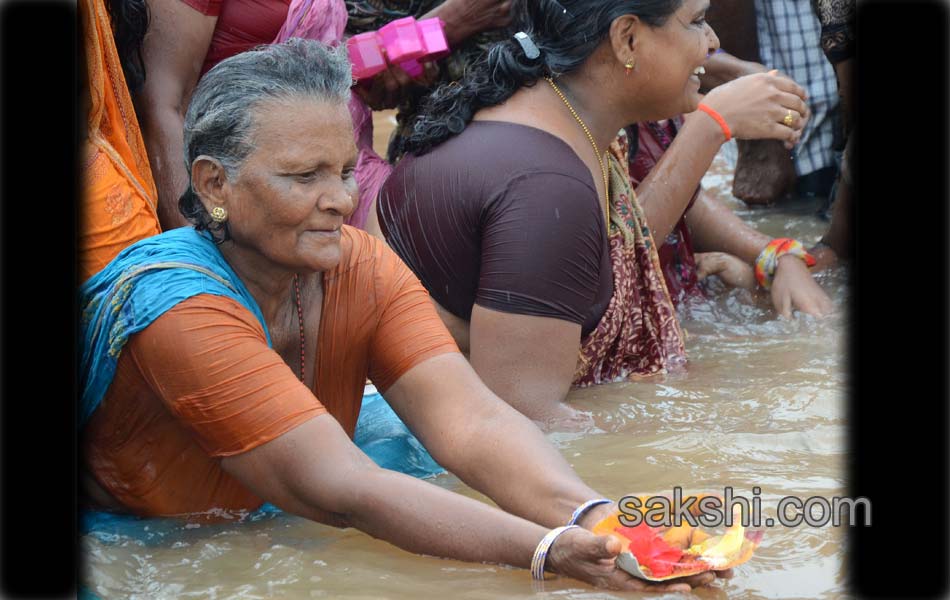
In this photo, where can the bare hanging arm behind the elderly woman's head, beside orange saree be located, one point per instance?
(174, 50)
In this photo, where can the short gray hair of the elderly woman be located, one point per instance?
(220, 118)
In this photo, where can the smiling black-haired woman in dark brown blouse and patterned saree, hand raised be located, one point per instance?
(523, 227)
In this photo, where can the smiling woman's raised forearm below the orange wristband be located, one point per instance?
(666, 191)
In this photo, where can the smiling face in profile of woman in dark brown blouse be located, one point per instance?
(669, 58)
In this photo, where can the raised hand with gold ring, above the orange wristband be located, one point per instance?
(755, 106)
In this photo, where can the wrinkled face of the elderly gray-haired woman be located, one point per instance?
(293, 192)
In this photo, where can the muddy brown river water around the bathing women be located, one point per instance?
(761, 405)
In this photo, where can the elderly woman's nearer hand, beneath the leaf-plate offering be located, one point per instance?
(590, 558)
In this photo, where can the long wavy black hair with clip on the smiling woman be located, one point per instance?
(566, 32)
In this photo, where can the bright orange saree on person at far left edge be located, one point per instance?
(118, 204)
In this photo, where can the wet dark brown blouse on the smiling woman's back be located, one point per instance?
(504, 215)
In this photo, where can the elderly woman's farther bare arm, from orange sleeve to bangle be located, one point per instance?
(487, 443)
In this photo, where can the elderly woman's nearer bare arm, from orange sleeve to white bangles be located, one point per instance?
(316, 472)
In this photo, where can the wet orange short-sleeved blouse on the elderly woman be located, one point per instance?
(200, 383)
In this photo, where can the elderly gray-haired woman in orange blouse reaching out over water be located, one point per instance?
(222, 365)
